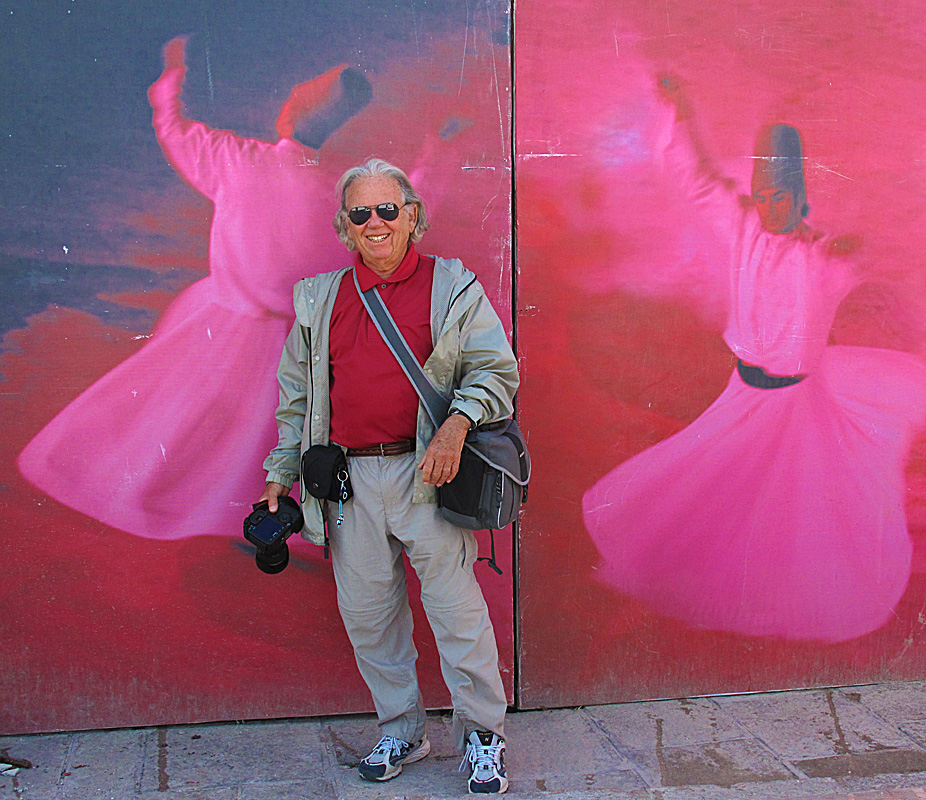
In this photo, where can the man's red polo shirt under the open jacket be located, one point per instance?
(372, 402)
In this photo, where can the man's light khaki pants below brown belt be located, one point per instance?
(380, 521)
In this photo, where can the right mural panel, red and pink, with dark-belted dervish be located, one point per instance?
(722, 332)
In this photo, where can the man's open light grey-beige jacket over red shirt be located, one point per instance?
(472, 365)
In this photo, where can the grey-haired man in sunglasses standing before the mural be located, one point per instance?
(339, 383)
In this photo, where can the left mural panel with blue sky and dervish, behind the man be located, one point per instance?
(146, 279)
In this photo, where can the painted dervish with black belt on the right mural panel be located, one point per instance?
(780, 510)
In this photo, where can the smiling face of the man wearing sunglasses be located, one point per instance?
(382, 245)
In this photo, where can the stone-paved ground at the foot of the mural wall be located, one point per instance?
(866, 743)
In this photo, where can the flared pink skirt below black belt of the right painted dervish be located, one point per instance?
(777, 512)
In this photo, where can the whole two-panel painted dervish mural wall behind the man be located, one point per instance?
(724, 391)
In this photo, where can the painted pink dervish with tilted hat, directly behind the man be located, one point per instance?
(170, 443)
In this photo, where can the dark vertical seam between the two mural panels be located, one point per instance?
(516, 526)
